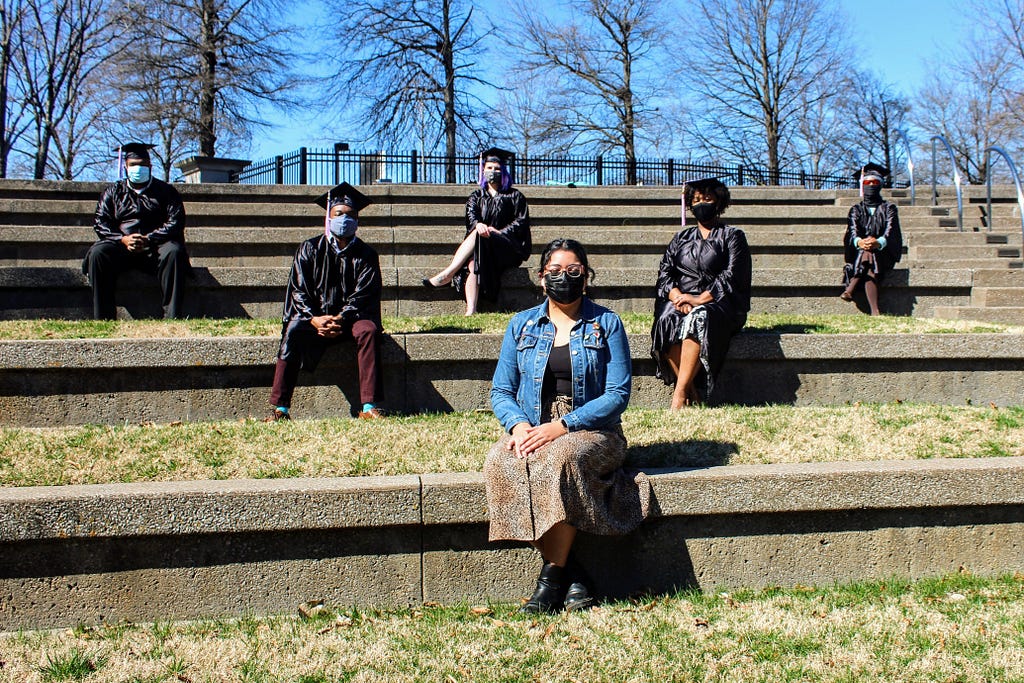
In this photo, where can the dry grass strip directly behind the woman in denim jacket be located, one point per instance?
(458, 443)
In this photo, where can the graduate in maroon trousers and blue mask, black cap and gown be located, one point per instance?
(334, 294)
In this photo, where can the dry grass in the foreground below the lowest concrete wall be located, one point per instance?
(960, 628)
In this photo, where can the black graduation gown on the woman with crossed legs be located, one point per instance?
(508, 212)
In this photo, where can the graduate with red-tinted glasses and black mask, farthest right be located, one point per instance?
(873, 244)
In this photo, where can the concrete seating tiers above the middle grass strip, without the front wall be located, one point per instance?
(242, 239)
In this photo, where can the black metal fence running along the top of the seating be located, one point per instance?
(326, 167)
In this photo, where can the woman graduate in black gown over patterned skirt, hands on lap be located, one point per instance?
(703, 297)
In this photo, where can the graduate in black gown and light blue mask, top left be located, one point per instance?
(141, 223)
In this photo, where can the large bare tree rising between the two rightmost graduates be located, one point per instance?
(754, 65)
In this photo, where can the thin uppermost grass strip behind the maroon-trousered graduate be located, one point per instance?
(480, 324)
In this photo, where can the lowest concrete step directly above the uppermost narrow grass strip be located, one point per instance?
(234, 292)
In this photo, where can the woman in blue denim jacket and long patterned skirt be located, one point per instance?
(563, 381)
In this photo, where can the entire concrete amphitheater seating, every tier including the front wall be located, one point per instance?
(209, 549)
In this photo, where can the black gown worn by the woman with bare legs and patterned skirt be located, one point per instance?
(720, 265)
